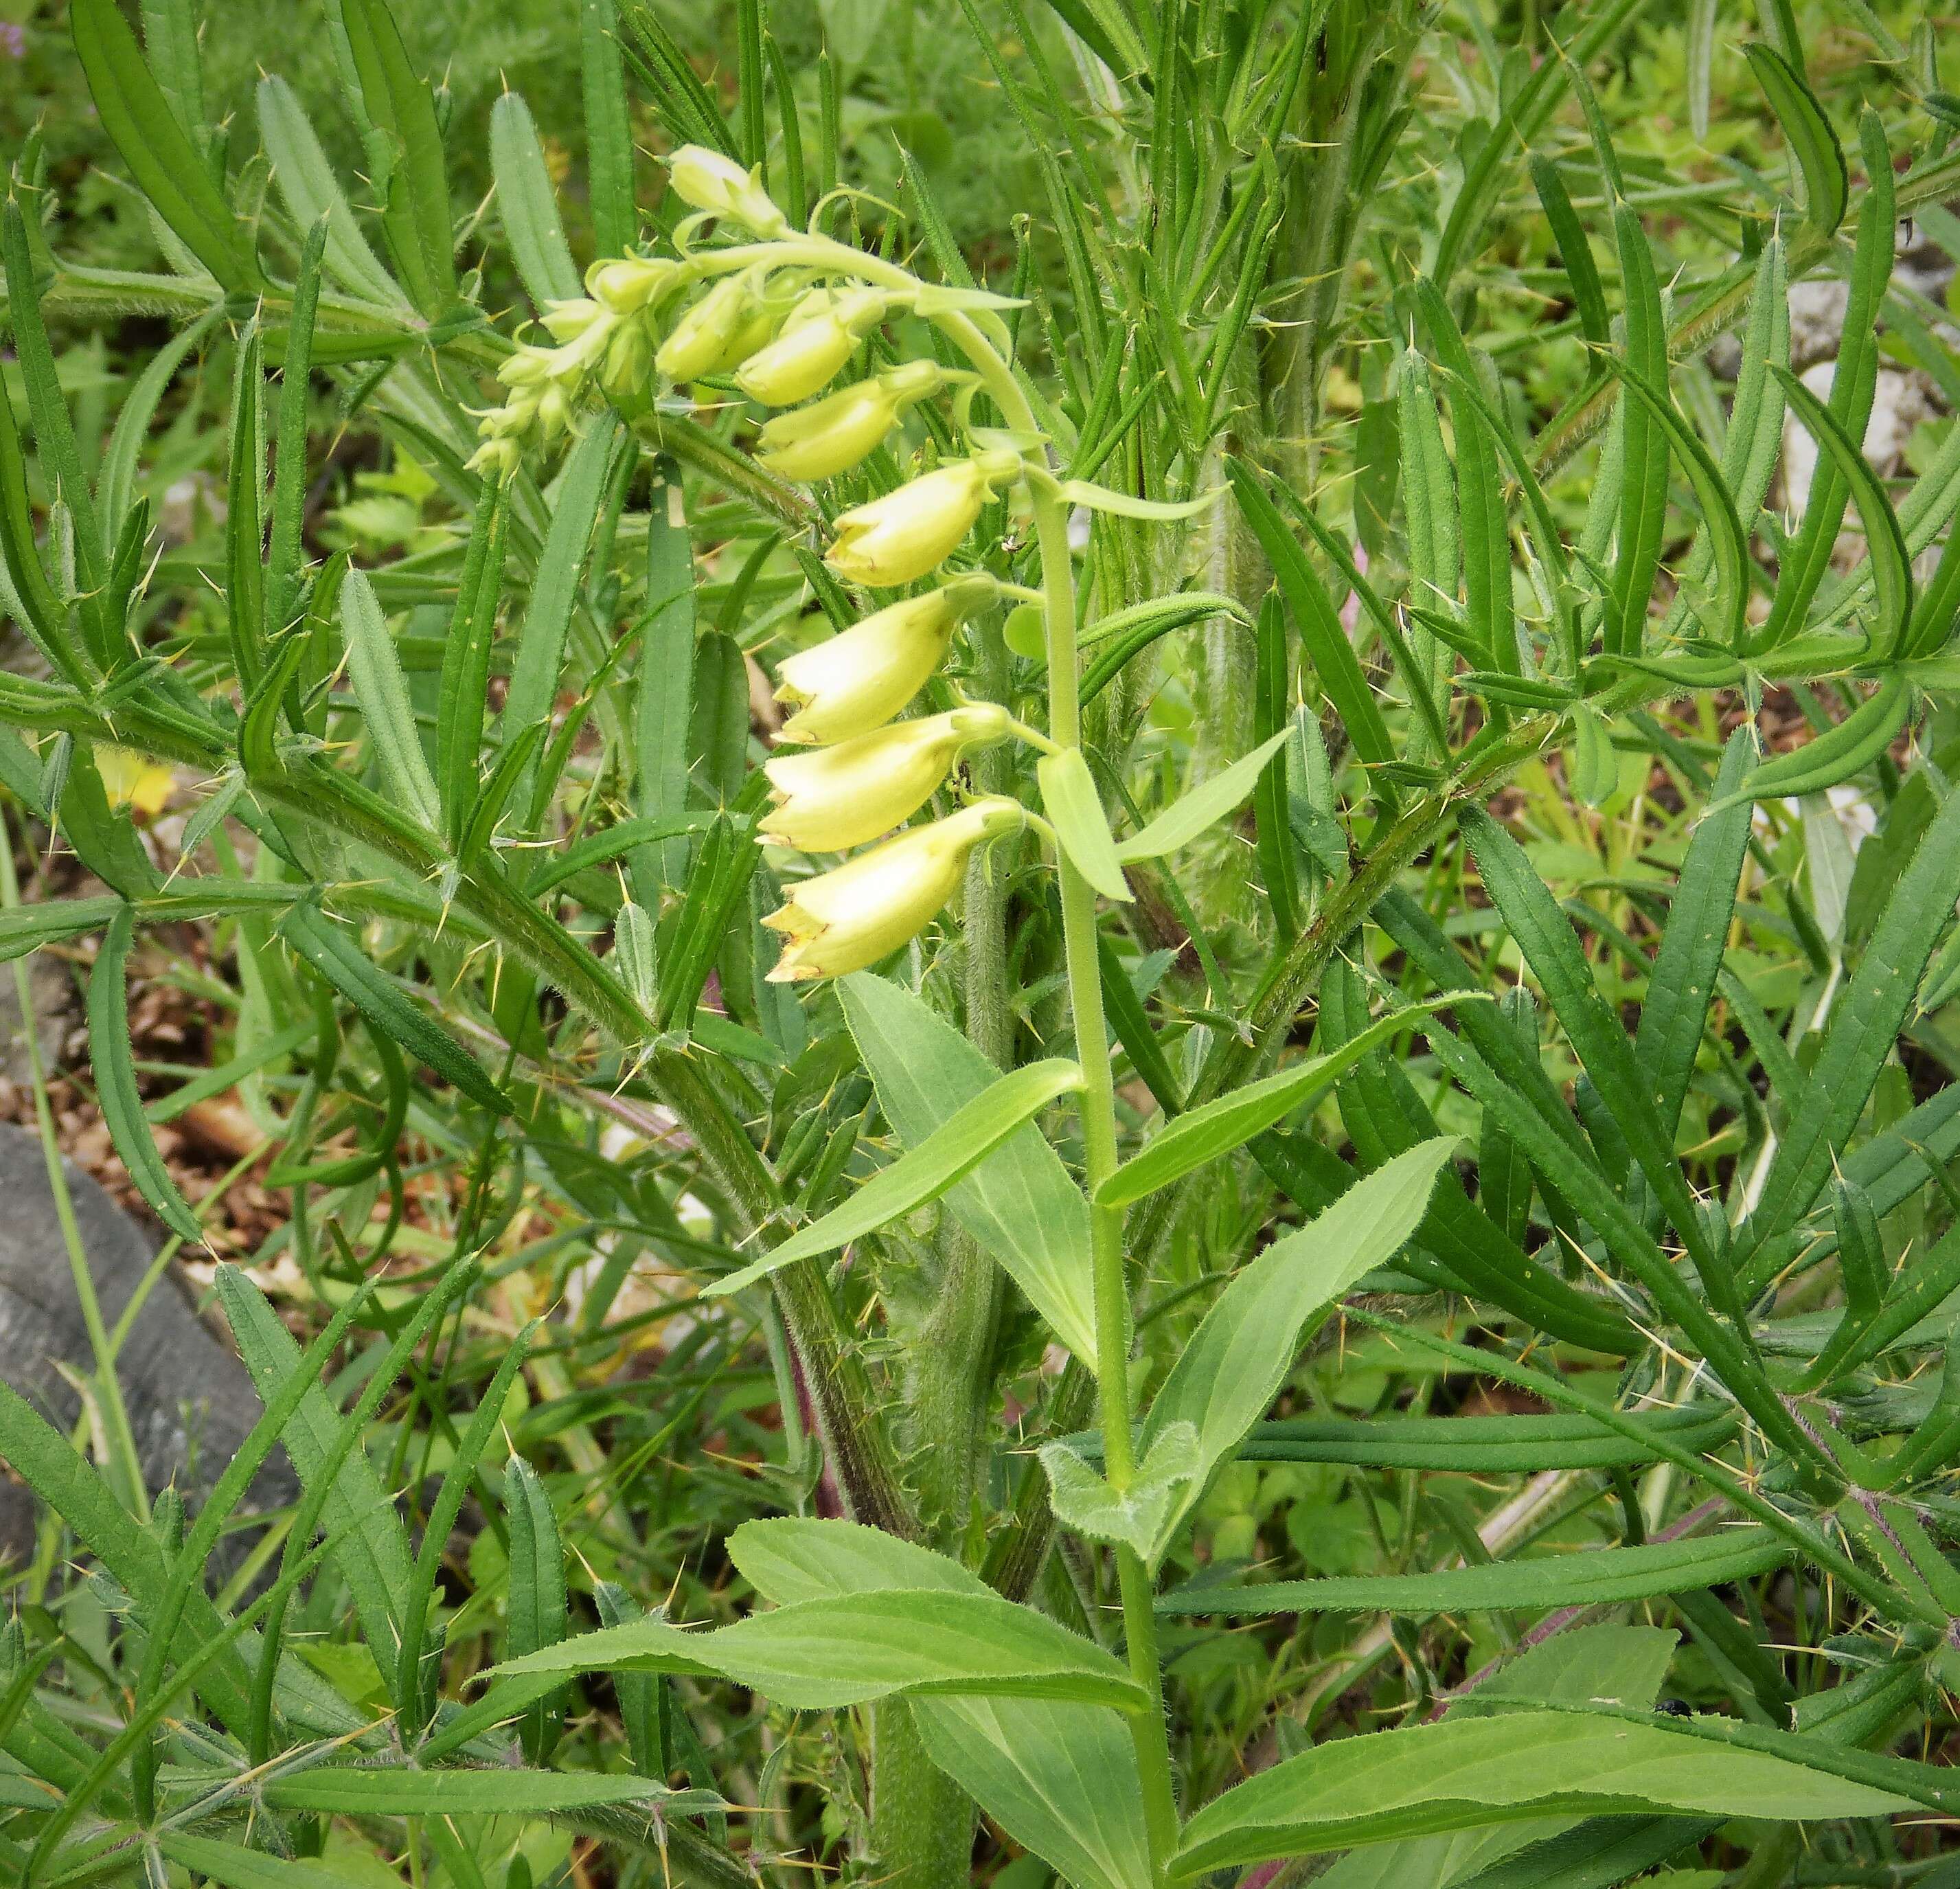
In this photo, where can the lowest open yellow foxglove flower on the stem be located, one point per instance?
(867, 908)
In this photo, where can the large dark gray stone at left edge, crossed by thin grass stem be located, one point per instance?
(189, 1398)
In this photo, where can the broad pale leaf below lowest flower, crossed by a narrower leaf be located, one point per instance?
(1020, 1202)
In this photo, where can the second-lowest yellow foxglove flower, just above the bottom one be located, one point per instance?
(844, 797)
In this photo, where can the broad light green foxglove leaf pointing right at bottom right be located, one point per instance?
(1463, 1774)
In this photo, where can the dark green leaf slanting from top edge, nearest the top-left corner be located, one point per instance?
(156, 146)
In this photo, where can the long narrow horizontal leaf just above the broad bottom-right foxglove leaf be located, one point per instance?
(1591, 1578)
